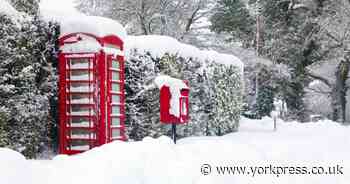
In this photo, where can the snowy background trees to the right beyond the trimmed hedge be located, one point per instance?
(309, 37)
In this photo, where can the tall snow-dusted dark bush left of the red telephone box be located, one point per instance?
(27, 81)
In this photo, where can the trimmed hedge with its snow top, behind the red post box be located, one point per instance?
(215, 82)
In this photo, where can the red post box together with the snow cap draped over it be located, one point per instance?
(170, 95)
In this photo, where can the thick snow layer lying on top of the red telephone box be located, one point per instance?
(75, 22)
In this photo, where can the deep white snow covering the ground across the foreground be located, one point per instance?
(159, 161)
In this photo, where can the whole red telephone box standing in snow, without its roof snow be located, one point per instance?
(91, 91)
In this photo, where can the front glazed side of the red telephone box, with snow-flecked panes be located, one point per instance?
(79, 98)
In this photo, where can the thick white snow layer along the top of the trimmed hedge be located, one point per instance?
(160, 45)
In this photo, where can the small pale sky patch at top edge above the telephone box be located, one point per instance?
(64, 5)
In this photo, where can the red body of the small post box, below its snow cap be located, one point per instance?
(167, 103)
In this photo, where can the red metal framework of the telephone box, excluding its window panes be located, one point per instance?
(100, 104)
